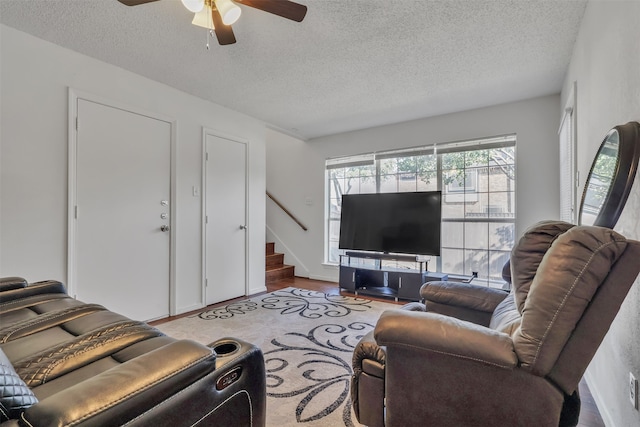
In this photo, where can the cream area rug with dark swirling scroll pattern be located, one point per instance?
(307, 338)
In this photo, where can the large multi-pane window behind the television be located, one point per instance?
(477, 180)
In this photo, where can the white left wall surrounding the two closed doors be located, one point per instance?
(35, 76)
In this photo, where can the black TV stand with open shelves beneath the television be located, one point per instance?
(374, 279)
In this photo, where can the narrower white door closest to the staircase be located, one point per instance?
(225, 210)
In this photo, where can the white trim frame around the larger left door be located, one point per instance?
(74, 96)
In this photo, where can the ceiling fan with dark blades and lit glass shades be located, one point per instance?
(218, 15)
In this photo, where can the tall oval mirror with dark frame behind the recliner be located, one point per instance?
(611, 176)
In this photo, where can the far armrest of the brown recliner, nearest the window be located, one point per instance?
(464, 301)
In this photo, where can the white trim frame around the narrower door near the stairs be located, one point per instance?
(216, 133)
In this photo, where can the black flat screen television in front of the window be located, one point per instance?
(404, 223)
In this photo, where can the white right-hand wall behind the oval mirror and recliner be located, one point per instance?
(606, 68)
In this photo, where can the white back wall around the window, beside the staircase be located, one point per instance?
(295, 169)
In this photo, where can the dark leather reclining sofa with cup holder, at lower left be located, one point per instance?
(64, 362)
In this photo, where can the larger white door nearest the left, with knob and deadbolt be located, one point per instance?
(122, 196)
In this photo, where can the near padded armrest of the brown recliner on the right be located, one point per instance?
(433, 332)
